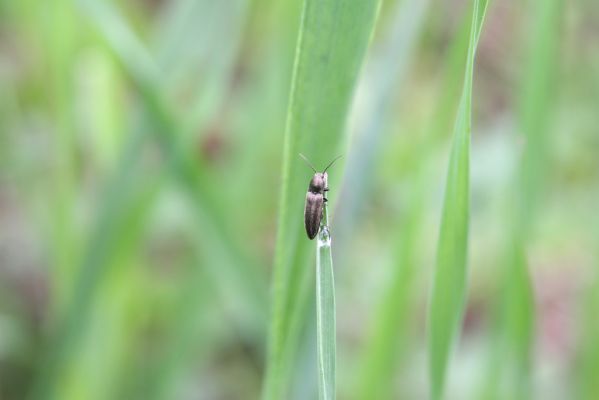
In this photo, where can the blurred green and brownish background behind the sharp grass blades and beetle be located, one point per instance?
(140, 171)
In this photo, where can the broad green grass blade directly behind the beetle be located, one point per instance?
(332, 42)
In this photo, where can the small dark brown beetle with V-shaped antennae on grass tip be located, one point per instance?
(315, 198)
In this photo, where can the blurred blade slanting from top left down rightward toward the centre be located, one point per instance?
(239, 271)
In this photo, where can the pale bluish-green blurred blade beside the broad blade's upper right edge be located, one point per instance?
(383, 78)
